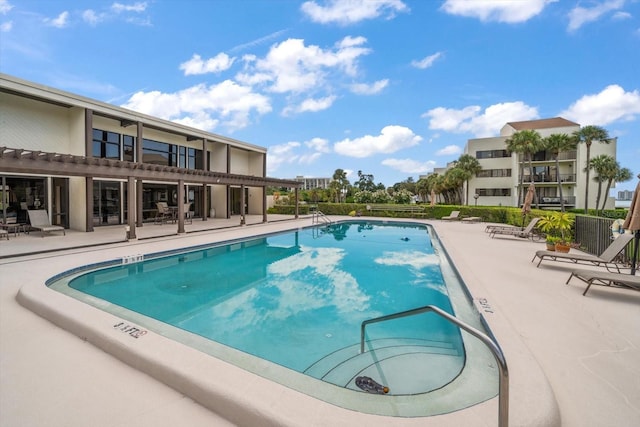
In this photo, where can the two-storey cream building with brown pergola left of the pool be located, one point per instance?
(89, 163)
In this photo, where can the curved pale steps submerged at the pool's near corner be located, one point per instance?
(407, 366)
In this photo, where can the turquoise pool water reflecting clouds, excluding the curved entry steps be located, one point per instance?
(293, 298)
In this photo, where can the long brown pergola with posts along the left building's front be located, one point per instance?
(23, 161)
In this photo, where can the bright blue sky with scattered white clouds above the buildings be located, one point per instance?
(393, 88)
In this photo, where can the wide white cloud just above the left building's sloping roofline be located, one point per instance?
(226, 103)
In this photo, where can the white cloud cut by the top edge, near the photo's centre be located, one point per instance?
(351, 11)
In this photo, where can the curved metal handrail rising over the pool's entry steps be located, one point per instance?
(503, 390)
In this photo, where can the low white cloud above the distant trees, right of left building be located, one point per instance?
(390, 140)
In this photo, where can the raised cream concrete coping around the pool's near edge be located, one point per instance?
(247, 403)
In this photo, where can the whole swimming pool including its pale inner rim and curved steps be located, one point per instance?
(297, 299)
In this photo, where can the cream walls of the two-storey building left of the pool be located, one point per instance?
(49, 120)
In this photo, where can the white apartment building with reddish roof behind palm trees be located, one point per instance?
(497, 183)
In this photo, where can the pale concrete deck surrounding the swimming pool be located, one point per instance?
(581, 352)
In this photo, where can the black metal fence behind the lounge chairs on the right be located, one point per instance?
(594, 235)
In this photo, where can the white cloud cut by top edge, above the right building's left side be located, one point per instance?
(497, 10)
